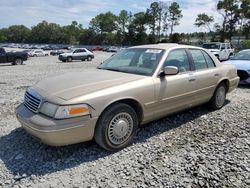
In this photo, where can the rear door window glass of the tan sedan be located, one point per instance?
(198, 58)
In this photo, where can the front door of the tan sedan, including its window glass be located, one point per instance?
(175, 92)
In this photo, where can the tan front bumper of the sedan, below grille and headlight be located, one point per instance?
(56, 132)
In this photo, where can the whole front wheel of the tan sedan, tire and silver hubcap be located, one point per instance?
(116, 127)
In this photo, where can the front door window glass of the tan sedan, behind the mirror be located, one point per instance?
(179, 59)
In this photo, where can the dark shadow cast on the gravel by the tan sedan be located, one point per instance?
(21, 153)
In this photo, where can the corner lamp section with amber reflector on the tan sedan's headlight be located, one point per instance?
(64, 112)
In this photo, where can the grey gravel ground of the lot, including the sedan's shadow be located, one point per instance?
(195, 148)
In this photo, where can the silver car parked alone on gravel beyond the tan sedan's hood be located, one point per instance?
(76, 54)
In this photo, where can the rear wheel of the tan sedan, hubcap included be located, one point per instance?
(219, 97)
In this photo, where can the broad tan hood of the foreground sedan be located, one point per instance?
(75, 84)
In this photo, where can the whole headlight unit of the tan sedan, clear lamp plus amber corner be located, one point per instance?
(64, 112)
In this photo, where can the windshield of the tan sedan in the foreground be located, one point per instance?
(142, 61)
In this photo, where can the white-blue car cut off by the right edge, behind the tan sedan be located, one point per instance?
(242, 62)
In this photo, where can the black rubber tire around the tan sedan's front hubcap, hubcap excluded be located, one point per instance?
(101, 133)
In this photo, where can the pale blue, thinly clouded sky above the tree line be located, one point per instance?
(63, 12)
